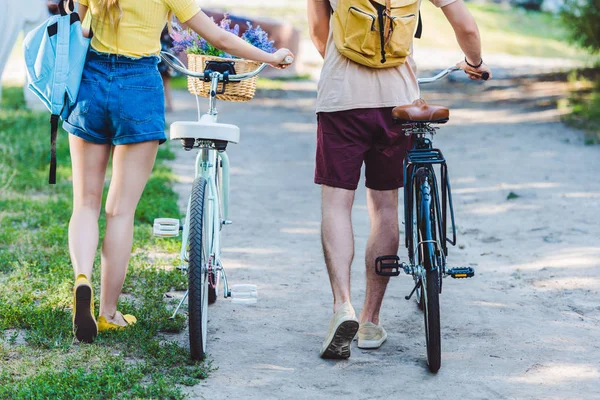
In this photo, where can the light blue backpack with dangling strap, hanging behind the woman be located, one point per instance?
(55, 54)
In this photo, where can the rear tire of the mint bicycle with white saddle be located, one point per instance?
(197, 271)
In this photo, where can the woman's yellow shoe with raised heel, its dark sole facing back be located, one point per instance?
(84, 323)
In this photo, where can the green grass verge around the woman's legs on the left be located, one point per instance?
(39, 358)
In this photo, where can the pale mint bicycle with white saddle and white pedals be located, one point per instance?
(208, 206)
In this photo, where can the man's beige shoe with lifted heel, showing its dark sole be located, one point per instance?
(342, 328)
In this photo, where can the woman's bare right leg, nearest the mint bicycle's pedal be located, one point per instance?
(132, 165)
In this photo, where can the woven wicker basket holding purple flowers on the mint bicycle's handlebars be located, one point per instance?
(234, 91)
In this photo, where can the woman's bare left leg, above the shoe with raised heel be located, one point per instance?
(89, 162)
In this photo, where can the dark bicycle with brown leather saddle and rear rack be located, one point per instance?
(427, 203)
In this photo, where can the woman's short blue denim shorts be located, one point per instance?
(120, 101)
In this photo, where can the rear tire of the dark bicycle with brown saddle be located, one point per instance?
(430, 287)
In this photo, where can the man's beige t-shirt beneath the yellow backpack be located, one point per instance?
(346, 85)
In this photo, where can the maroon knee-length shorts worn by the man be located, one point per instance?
(346, 139)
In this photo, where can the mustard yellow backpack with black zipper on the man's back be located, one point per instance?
(376, 33)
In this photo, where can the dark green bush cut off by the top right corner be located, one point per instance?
(582, 17)
